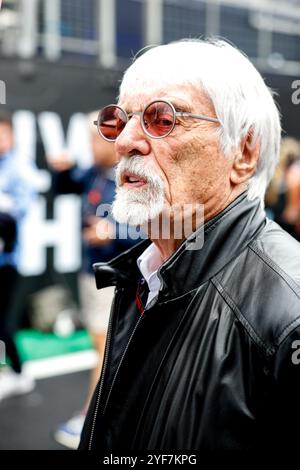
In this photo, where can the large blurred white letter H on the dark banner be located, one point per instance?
(63, 233)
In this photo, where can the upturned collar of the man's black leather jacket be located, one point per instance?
(225, 236)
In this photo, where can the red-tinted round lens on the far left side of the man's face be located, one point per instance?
(112, 120)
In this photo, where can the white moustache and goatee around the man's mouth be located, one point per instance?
(137, 206)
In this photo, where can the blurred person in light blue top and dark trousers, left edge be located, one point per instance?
(16, 194)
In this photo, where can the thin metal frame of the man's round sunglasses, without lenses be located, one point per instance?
(141, 114)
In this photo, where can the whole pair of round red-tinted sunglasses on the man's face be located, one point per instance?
(158, 119)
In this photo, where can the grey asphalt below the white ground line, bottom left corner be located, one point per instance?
(27, 422)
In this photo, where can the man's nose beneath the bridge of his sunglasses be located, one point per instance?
(132, 139)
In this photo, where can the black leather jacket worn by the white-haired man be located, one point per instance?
(213, 361)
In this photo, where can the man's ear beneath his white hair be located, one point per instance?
(245, 159)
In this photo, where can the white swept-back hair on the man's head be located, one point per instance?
(242, 101)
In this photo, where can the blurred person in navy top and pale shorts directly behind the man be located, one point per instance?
(96, 185)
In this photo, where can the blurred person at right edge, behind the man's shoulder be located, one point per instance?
(283, 194)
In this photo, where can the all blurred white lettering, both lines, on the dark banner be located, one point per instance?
(64, 231)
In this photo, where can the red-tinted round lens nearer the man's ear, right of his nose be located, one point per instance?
(159, 119)
